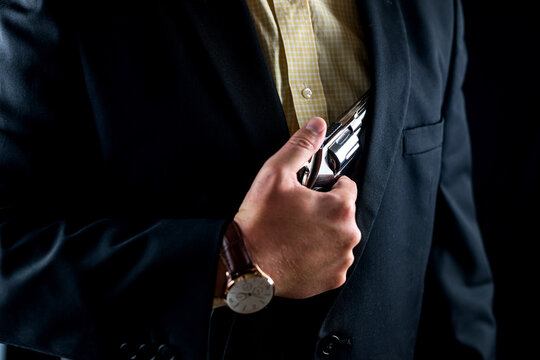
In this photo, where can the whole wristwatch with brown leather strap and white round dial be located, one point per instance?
(248, 289)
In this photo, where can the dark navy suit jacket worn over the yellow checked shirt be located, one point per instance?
(130, 132)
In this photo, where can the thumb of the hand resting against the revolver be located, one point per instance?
(301, 146)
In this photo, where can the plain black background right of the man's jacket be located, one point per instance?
(502, 93)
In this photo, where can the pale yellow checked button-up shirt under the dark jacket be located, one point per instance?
(315, 50)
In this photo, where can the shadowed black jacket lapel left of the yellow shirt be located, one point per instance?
(240, 64)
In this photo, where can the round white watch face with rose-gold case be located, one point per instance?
(250, 293)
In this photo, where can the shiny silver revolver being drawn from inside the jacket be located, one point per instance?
(341, 144)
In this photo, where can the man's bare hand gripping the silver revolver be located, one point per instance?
(303, 239)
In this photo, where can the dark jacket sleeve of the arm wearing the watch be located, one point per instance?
(79, 276)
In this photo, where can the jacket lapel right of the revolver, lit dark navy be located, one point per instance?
(389, 55)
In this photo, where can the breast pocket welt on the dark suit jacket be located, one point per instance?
(422, 139)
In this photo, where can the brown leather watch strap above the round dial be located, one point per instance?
(234, 252)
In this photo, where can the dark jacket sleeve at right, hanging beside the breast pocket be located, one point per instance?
(457, 318)
